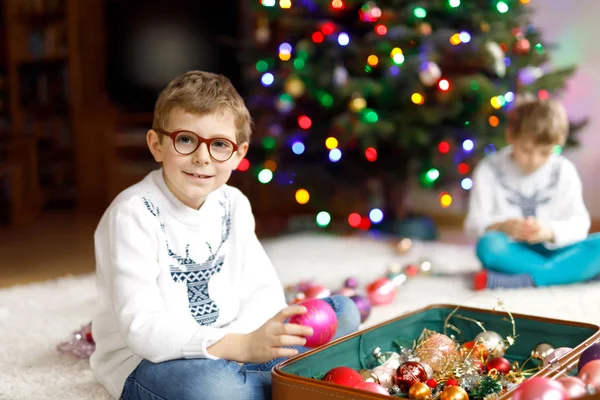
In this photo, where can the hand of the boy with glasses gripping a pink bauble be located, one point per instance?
(265, 343)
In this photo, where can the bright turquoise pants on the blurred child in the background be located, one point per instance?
(579, 262)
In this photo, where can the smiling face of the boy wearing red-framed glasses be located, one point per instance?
(193, 177)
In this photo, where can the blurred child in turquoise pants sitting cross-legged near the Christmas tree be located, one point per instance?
(526, 207)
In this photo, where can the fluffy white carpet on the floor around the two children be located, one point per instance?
(34, 318)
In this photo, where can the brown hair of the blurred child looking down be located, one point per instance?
(542, 121)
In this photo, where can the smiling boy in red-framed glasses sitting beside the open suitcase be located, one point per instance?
(189, 305)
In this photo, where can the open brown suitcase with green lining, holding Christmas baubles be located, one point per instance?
(292, 378)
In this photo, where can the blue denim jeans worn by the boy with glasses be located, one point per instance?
(195, 379)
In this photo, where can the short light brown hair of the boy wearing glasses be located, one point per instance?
(202, 93)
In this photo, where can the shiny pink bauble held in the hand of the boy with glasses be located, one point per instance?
(319, 316)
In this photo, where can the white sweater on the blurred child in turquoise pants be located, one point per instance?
(552, 194)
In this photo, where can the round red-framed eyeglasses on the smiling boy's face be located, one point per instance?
(186, 142)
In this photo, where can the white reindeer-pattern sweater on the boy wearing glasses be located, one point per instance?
(172, 281)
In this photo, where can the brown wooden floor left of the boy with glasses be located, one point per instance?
(56, 245)
